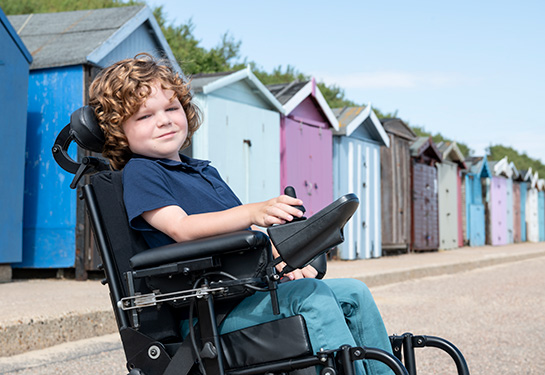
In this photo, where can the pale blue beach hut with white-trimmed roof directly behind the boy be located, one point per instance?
(240, 132)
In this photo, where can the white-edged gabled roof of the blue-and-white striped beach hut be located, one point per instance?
(351, 118)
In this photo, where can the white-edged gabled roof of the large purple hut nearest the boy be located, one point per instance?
(292, 94)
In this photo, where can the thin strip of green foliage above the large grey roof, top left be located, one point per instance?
(11, 7)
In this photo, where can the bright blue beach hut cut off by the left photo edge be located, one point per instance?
(14, 70)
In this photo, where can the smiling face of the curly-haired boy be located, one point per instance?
(159, 128)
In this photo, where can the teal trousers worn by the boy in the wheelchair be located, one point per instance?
(336, 311)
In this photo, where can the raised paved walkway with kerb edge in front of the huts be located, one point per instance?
(36, 314)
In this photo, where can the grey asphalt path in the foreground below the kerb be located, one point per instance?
(494, 315)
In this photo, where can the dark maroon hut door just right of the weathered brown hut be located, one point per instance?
(425, 233)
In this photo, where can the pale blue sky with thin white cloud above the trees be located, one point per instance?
(471, 70)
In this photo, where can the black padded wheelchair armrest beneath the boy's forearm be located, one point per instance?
(236, 241)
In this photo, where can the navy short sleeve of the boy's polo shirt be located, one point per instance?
(144, 189)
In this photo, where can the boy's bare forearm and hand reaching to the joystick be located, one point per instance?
(174, 221)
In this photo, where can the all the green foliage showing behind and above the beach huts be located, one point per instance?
(225, 56)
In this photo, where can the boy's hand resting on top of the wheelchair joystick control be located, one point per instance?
(278, 210)
